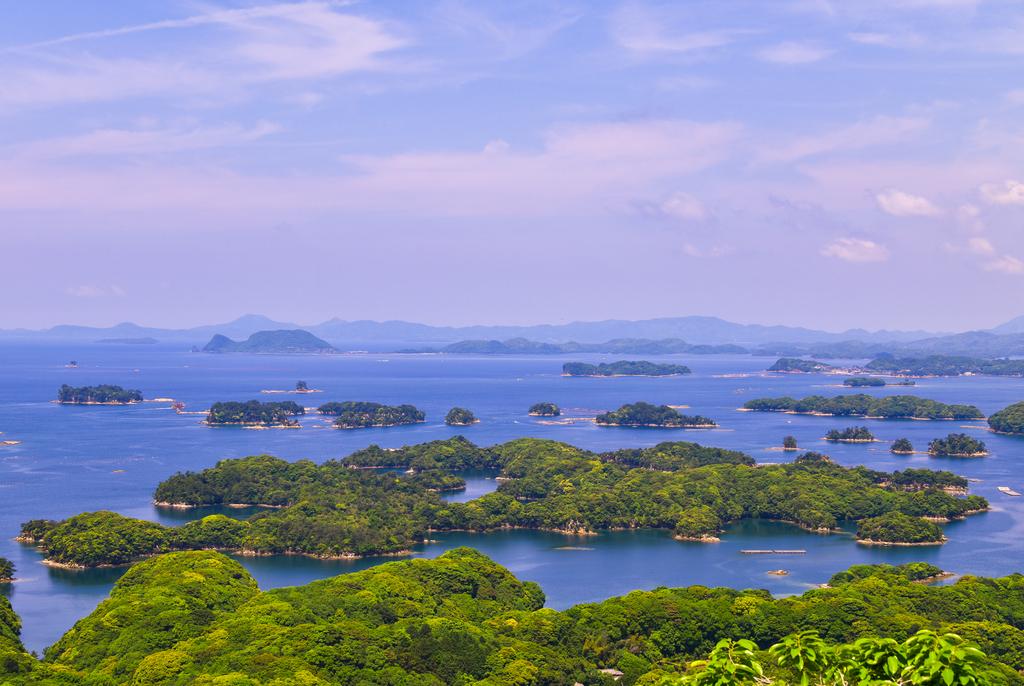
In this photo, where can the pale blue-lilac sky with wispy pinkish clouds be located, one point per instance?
(824, 163)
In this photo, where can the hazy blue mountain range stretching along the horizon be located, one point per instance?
(685, 334)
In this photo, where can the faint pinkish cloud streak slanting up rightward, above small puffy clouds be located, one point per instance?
(877, 132)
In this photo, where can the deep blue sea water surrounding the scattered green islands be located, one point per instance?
(76, 459)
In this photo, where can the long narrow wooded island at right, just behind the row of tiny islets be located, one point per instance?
(861, 405)
